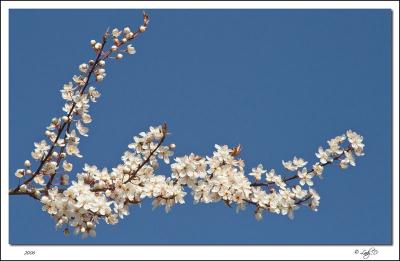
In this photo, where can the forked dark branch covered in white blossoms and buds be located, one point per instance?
(102, 194)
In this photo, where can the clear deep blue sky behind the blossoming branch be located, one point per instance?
(279, 82)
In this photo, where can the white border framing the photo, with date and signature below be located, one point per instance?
(186, 252)
